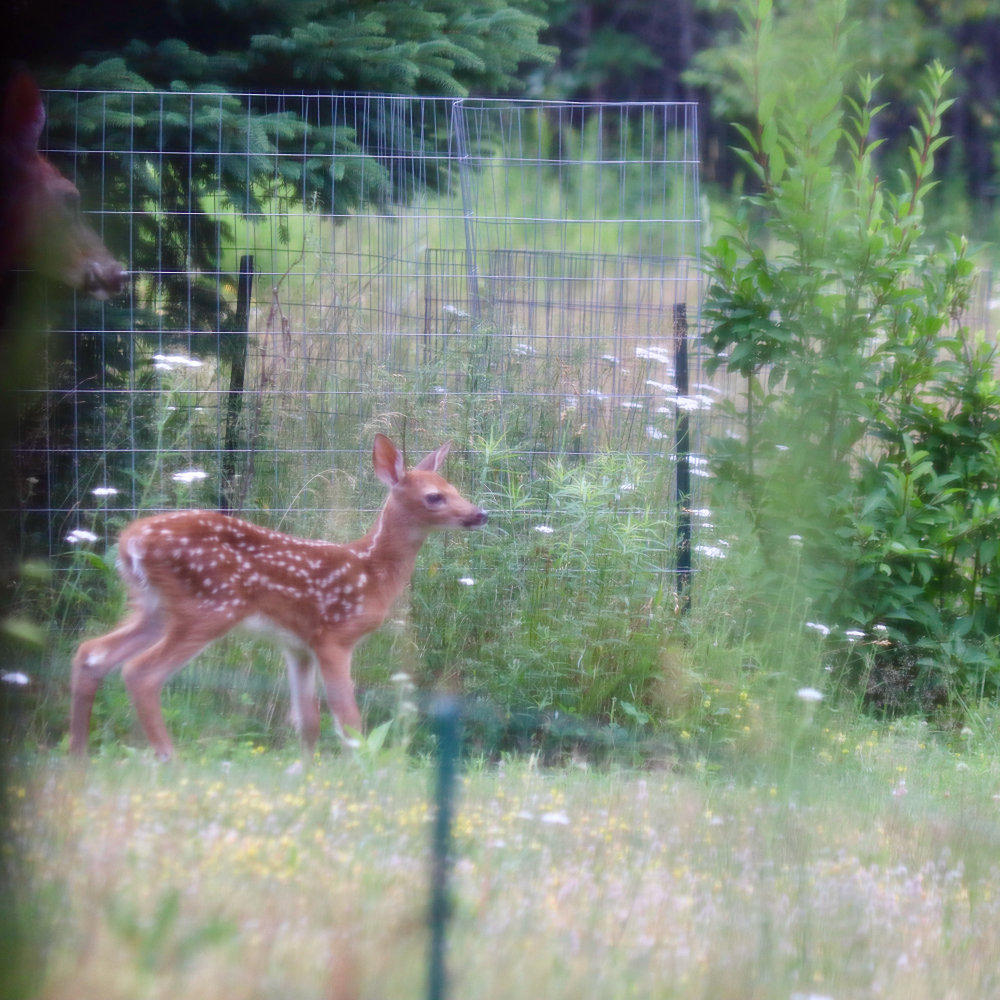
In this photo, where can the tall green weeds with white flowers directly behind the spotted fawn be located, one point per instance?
(560, 622)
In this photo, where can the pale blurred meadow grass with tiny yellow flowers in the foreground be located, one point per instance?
(865, 867)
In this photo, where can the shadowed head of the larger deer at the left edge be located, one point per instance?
(40, 222)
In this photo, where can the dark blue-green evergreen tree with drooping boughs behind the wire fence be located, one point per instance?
(158, 91)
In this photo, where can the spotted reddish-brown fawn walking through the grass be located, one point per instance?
(192, 576)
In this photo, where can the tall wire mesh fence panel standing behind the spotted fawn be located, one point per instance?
(477, 270)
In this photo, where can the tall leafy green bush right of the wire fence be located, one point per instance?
(870, 413)
